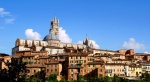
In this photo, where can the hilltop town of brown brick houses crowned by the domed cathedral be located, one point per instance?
(69, 60)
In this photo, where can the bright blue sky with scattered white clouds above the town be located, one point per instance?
(109, 24)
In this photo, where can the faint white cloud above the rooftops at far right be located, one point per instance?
(132, 44)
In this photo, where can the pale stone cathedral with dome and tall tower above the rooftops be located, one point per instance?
(50, 43)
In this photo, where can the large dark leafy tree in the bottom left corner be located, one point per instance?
(15, 71)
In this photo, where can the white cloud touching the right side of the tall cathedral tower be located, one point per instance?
(63, 36)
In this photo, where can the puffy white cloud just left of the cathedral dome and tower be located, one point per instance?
(30, 34)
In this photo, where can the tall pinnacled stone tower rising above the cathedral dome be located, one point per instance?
(54, 27)
